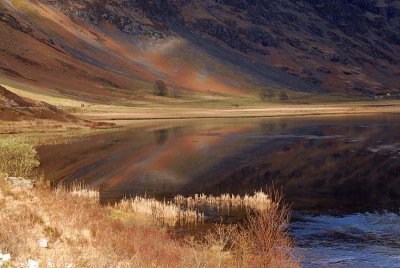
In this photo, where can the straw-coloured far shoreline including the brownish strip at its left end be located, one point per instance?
(121, 115)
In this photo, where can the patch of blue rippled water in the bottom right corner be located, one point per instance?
(357, 240)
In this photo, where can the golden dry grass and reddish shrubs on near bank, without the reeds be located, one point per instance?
(85, 234)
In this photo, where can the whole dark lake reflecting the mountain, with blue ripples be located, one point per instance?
(342, 174)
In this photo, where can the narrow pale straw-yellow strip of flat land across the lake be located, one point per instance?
(273, 110)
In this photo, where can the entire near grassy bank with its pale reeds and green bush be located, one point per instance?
(82, 233)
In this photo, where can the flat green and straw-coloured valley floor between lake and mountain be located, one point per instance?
(91, 115)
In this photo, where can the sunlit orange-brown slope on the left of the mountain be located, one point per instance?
(59, 59)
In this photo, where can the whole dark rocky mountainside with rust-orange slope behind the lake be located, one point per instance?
(115, 50)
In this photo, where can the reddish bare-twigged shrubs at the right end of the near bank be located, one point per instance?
(261, 241)
